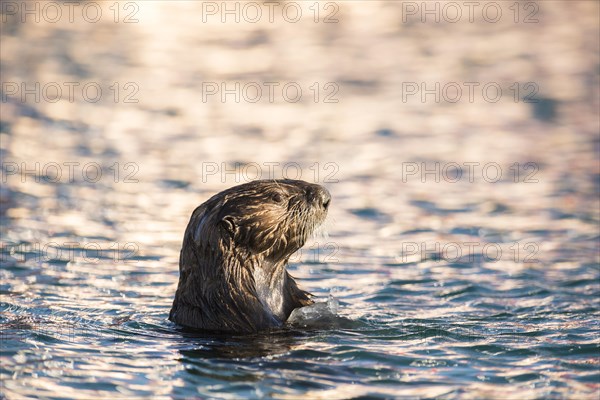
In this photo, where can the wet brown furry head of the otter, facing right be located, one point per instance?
(273, 218)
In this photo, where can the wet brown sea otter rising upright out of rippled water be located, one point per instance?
(232, 275)
